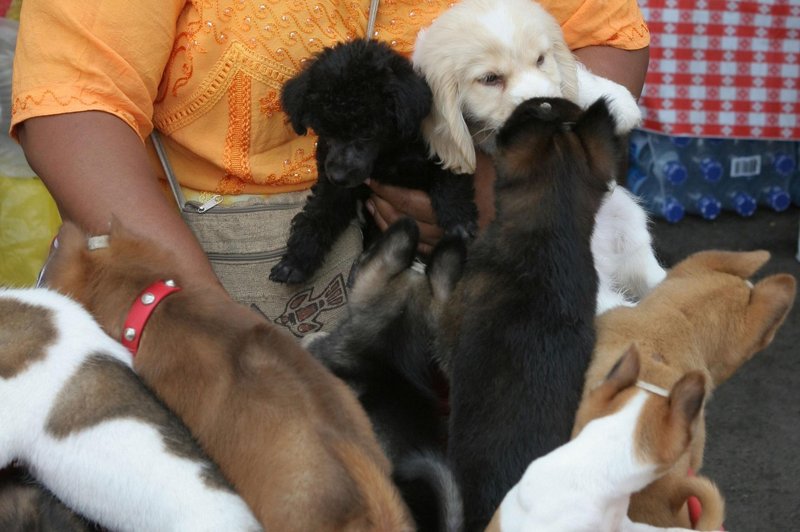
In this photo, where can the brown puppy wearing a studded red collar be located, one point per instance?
(290, 436)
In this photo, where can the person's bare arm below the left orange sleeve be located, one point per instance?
(95, 166)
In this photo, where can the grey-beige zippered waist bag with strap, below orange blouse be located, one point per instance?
(244, 241)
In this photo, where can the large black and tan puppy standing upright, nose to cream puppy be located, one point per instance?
(518, 333)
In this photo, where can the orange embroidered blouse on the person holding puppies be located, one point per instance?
(208, 73)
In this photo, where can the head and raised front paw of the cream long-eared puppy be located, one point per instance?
(482, 58)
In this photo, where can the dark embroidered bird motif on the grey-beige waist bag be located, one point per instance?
(302, 311)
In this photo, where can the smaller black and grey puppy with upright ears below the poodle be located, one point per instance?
(384, 350)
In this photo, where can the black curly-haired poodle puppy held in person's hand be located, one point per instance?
(366, 103)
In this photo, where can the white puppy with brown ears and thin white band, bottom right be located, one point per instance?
(585, 485)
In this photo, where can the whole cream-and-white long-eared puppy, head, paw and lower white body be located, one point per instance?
(482, 58)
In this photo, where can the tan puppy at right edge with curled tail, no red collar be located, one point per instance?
(704, 316)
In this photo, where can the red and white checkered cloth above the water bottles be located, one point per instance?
(723, 68)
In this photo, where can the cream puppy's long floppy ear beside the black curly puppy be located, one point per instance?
(445, 129)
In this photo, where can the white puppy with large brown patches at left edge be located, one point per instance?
(73, 411)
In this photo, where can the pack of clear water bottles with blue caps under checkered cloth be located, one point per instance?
(678, 175)
